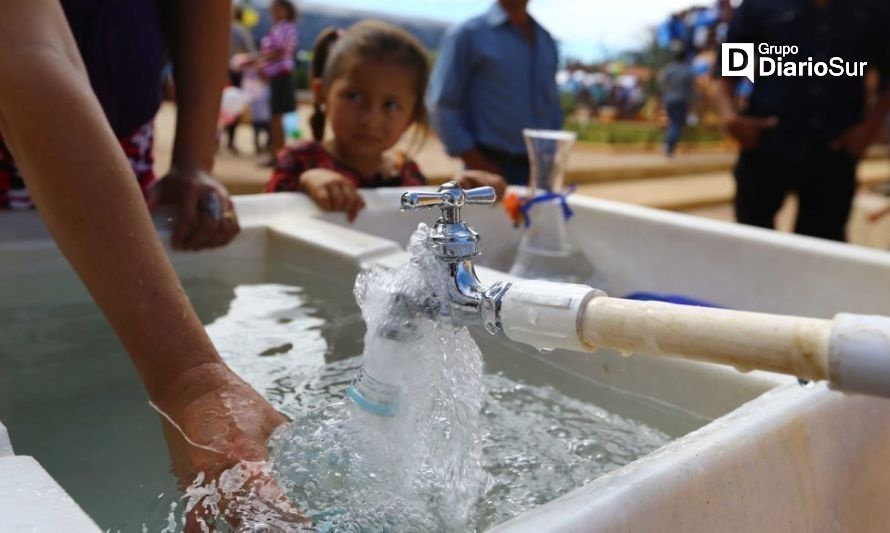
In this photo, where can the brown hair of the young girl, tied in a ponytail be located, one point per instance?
(337, 50)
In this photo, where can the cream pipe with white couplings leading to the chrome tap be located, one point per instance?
(851, 351)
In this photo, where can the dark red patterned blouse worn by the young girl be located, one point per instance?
(306, 155)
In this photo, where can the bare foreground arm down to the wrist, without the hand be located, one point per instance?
(87, 195)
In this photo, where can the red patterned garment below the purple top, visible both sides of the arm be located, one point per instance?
(137, 147)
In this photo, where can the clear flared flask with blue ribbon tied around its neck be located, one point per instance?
(546, 250)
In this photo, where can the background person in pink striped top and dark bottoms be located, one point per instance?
(276, 63)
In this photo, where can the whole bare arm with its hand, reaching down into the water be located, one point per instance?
(85, 191)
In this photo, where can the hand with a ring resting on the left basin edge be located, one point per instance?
(205, 215)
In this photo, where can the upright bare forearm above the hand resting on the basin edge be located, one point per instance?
(199, 43)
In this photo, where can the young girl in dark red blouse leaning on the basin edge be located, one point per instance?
(369, 81)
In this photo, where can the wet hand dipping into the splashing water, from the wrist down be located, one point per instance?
(218, 448)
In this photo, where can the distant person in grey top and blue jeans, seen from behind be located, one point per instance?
(677, 84)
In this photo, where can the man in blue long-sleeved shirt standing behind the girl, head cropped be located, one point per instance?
(495, 76)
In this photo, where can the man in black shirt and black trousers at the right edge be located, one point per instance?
(806, 133)
